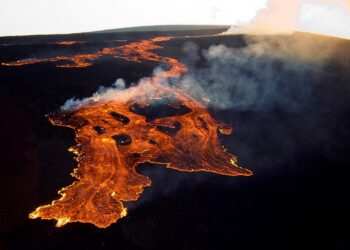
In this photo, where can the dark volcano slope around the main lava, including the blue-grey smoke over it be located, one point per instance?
(290, 126)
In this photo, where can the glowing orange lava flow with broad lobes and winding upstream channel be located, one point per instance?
(149, 122)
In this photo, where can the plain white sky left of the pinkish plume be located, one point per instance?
(20, 17)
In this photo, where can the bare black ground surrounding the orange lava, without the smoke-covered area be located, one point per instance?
(298, 197)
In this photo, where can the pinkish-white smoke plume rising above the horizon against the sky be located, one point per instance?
(327, 17)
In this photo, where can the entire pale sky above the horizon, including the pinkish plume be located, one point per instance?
(23, 17)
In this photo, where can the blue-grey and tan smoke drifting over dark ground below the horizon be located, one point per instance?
(269, 72)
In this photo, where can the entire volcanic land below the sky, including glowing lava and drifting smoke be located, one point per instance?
(286, 98)
